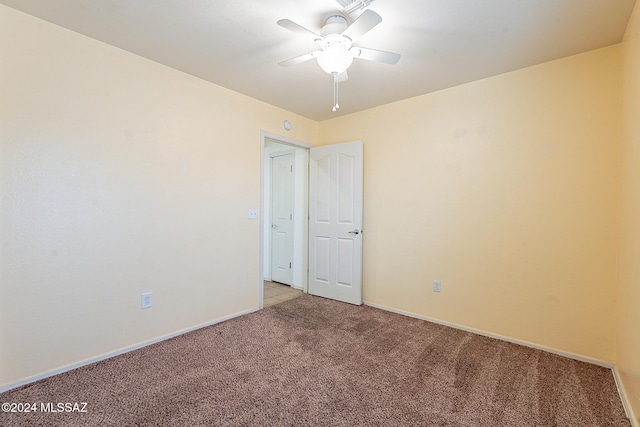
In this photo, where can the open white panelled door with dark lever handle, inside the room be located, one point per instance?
(335, 221)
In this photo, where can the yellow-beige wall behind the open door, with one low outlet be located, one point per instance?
(503, 189)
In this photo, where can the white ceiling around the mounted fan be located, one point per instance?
(237, 44)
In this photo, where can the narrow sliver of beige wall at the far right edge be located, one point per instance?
(629, 310)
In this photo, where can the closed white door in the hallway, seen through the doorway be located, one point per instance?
(282, 217)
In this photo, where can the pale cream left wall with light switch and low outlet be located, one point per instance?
(118, 176)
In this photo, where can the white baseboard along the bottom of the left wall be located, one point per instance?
(28, 380)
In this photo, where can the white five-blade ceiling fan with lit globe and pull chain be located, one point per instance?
(336, 40)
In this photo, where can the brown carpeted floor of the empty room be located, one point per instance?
(317, 362)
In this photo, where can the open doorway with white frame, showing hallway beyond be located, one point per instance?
(284, 214)
